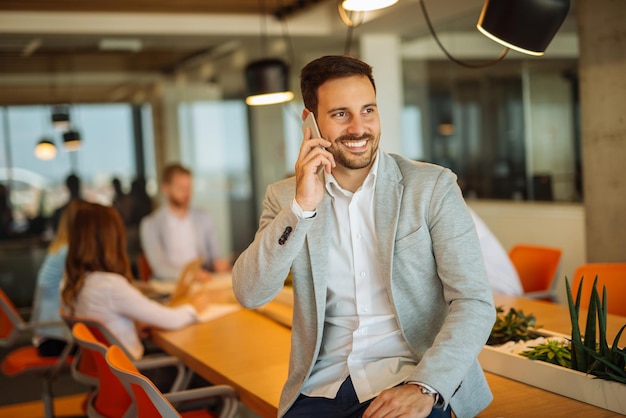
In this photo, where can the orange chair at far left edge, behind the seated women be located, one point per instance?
(27, 359)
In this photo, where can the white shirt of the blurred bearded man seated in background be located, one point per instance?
(181, 246)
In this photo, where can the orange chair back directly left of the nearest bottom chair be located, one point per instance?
(112, 400)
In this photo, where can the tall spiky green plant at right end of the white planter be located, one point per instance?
(589, 355)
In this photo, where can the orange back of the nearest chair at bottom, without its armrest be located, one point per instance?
(139, 384)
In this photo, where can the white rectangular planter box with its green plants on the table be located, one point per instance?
(581, 366)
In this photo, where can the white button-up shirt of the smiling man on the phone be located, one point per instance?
(361, 334)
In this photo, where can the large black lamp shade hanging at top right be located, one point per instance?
(524, 25)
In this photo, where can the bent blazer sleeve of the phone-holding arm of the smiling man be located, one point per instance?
(260, 271)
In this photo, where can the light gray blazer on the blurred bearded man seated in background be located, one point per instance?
(153, 234)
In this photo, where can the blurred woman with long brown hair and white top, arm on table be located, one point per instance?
(99, 284)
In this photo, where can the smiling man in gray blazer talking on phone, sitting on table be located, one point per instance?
(391, 300)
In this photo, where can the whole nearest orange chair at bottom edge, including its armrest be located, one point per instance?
(150, 402)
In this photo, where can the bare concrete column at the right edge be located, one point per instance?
(602, 66)
